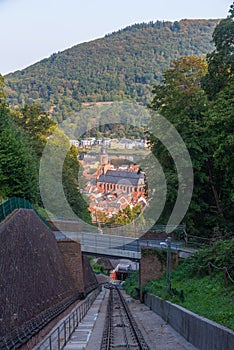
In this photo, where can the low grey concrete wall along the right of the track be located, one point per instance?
(199, 331)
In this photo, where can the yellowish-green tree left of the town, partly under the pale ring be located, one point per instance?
(59, 179)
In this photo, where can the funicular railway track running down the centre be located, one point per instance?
(121, 330)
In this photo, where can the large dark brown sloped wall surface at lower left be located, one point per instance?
(33, 276)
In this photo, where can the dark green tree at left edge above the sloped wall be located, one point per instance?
(18, 171)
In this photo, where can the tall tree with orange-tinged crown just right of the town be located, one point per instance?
(183, 102)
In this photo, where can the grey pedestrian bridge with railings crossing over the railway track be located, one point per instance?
(116, 246)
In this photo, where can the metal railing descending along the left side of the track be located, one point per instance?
(59, 337)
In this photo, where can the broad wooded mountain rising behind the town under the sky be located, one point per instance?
(123, 65)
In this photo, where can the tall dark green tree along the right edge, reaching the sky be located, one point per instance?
(219, 86)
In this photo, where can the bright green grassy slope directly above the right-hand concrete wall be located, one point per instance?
(206, 296)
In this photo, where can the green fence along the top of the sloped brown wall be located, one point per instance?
(16, 203)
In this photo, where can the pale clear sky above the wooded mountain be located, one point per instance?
(31, 30)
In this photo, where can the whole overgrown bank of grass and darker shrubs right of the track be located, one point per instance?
(200, 286)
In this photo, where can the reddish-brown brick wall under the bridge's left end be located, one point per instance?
(72, 257)
